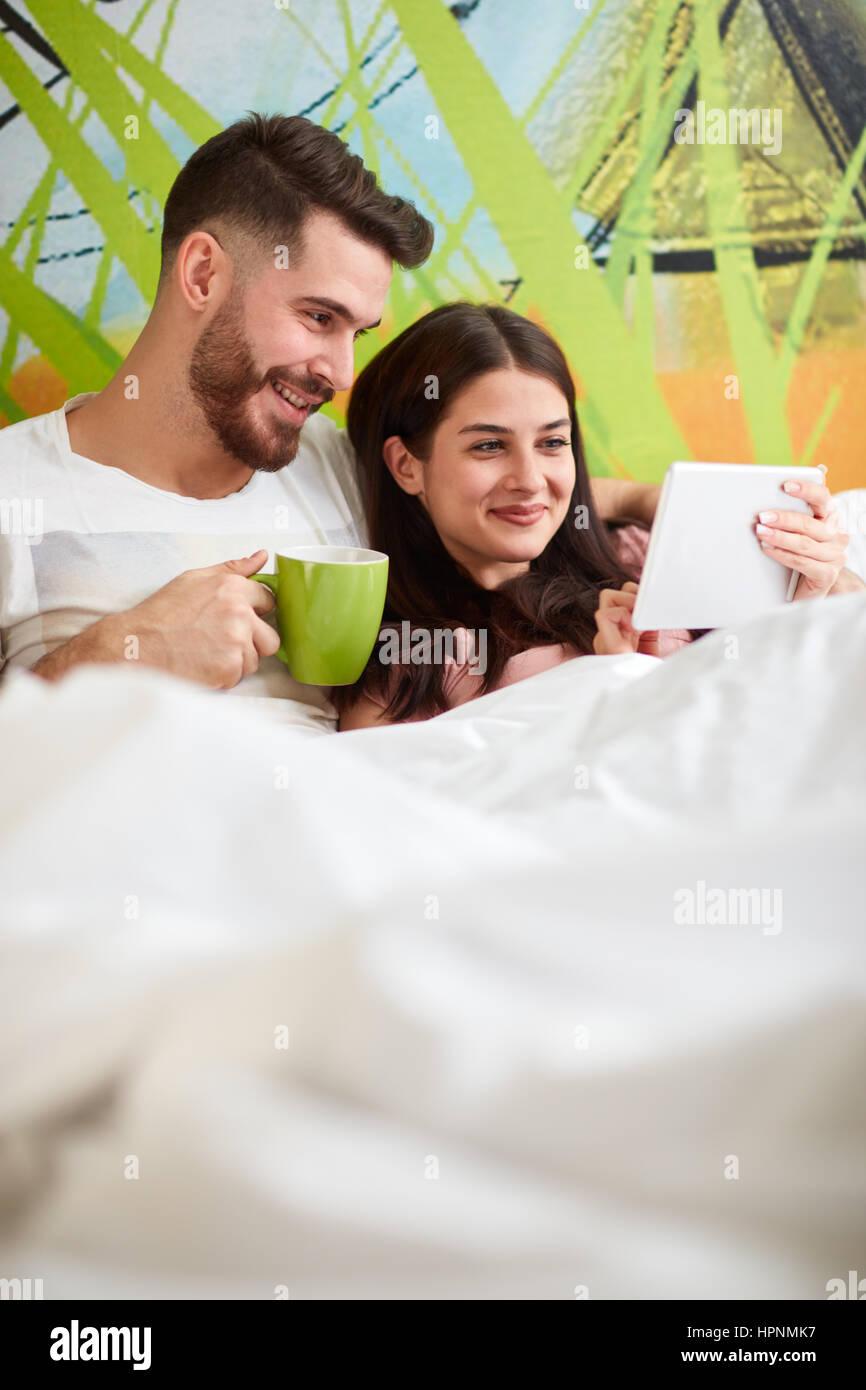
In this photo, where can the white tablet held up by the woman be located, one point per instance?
(704, 565)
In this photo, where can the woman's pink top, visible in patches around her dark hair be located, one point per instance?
(464, 683)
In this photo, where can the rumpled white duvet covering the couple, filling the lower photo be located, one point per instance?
(514, 1070)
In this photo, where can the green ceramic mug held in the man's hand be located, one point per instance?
(330, 601)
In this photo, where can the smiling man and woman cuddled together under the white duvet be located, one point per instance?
(130, 514)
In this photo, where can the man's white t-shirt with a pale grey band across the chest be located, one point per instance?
(81, 540)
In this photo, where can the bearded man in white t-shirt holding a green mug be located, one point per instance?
(166, 491)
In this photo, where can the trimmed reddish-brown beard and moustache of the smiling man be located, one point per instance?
(223, 380)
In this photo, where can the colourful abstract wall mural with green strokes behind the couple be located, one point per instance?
(675, 188)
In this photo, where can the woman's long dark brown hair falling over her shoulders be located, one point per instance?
(405, 391)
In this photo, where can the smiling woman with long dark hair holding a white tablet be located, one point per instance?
(476, 486)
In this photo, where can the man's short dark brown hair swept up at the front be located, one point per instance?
(263, 176)
